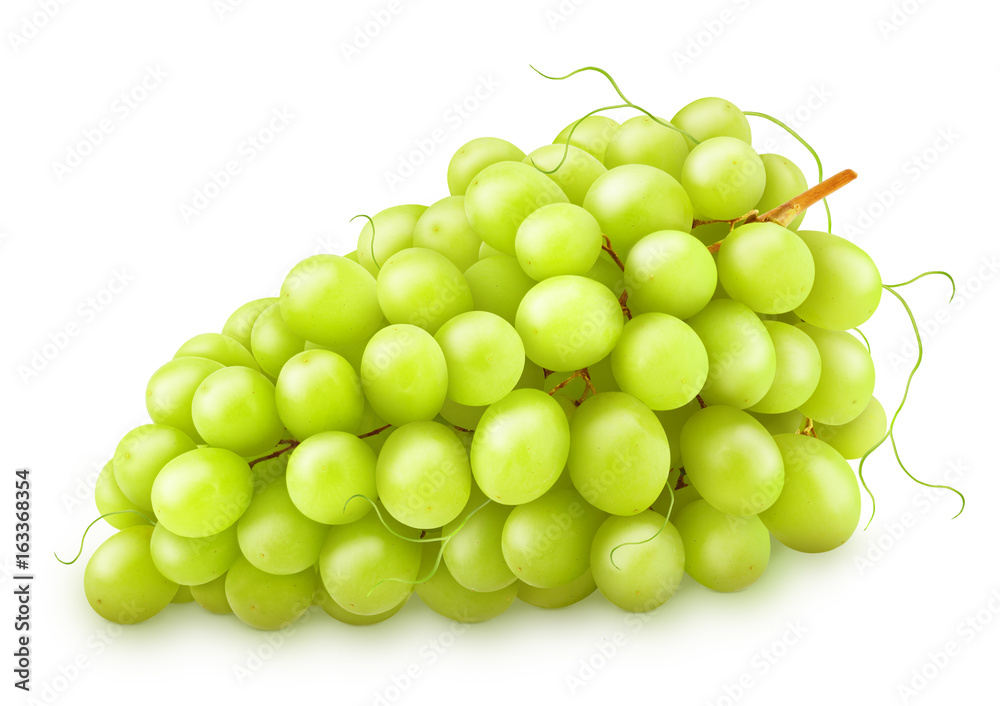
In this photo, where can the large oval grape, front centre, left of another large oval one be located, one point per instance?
(520, 447)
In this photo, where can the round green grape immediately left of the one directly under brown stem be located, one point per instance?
(671, 272)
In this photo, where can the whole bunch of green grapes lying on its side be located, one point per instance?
(596, 366)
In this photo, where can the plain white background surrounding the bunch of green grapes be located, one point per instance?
(873, 84)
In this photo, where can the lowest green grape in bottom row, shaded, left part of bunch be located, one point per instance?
(268, 601)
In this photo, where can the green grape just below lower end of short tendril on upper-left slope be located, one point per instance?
(423, 288)
